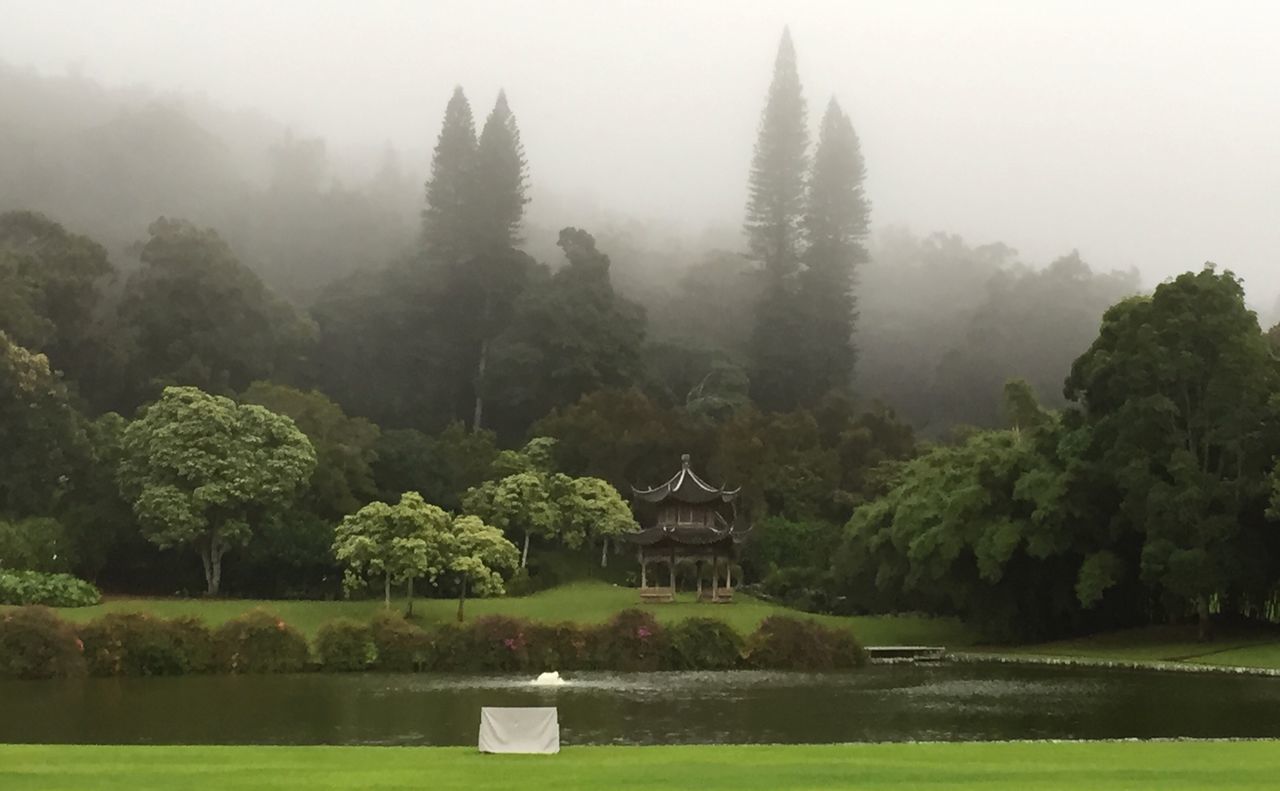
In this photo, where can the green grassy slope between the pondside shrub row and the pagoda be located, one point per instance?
(582, 602)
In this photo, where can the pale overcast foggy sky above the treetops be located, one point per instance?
(1142, 134)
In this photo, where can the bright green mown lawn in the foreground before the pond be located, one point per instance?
(990, 767)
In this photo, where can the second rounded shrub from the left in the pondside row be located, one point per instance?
(138, 644)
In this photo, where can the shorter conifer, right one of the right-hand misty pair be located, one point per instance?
(835, 228)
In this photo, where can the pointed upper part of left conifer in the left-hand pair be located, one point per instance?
(447, 220)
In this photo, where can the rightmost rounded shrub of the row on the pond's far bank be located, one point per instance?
(801, 644)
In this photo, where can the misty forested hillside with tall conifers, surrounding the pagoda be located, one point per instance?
(917, 423)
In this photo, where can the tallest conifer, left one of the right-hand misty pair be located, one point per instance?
(774, 226)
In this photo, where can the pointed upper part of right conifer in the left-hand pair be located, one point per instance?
(501, 179)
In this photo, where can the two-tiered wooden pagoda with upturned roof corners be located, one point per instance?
(687, 519)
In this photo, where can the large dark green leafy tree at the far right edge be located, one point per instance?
(1178, 392)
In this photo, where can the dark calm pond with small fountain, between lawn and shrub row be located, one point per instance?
(874, 705)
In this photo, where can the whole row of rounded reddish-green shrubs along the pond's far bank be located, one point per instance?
(36, 644)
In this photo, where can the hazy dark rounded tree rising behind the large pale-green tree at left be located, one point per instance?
(200, 318)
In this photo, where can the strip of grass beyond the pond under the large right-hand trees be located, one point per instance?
(1177, 644)
